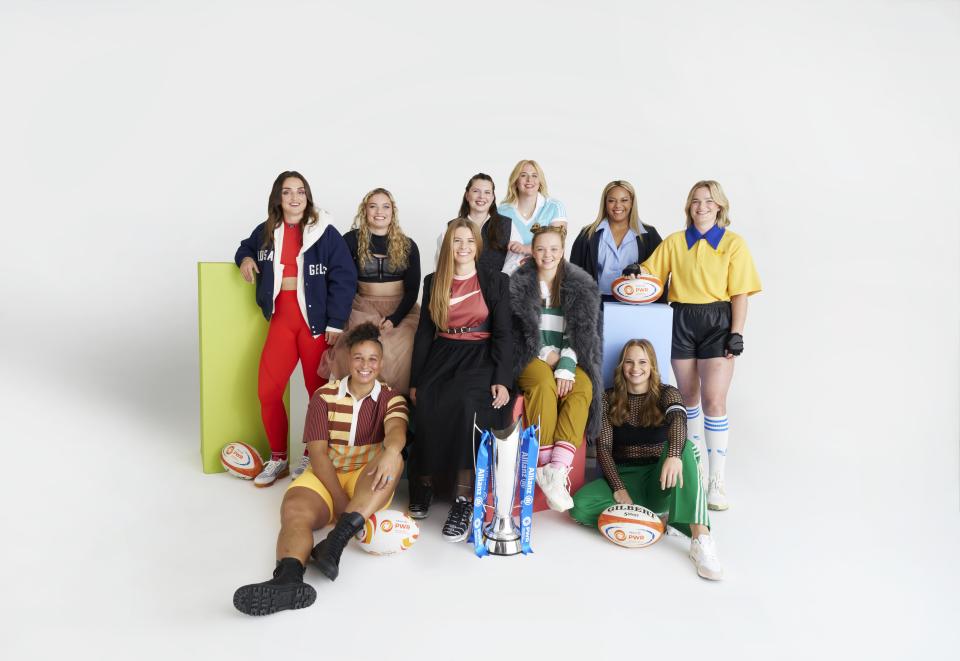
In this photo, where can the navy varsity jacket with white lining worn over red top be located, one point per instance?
(327, 279)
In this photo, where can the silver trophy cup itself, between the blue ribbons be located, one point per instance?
(501, 536)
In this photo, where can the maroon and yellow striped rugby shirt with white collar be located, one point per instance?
(352, 428)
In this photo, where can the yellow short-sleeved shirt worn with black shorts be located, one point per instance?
(701, 274)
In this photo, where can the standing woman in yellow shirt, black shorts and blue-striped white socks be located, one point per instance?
(711, 275)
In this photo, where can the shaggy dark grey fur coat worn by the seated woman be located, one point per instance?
(581, 309)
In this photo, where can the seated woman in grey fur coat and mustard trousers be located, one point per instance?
(557, 354)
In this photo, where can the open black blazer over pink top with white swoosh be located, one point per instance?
(495, 289)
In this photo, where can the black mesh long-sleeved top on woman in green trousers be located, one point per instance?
(632, 445)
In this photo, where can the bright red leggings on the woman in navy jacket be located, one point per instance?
(288, 340)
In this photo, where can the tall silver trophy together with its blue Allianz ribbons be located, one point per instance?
(504, 457)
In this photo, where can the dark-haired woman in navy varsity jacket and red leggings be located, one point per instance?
(306, 281)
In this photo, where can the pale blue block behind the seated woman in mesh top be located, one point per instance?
(623, 322)
